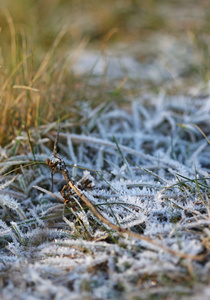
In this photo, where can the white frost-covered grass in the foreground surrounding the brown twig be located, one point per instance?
(156, 183)
